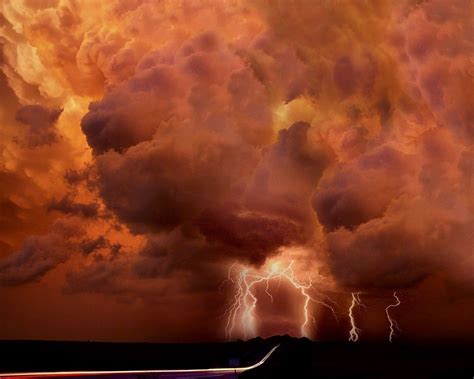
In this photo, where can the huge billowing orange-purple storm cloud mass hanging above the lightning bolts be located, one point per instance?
(221, 133)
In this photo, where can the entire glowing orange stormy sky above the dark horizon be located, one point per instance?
(148, 146)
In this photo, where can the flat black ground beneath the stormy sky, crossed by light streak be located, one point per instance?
(295, 358)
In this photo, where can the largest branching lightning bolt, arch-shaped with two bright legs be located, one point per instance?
(242, 310)
